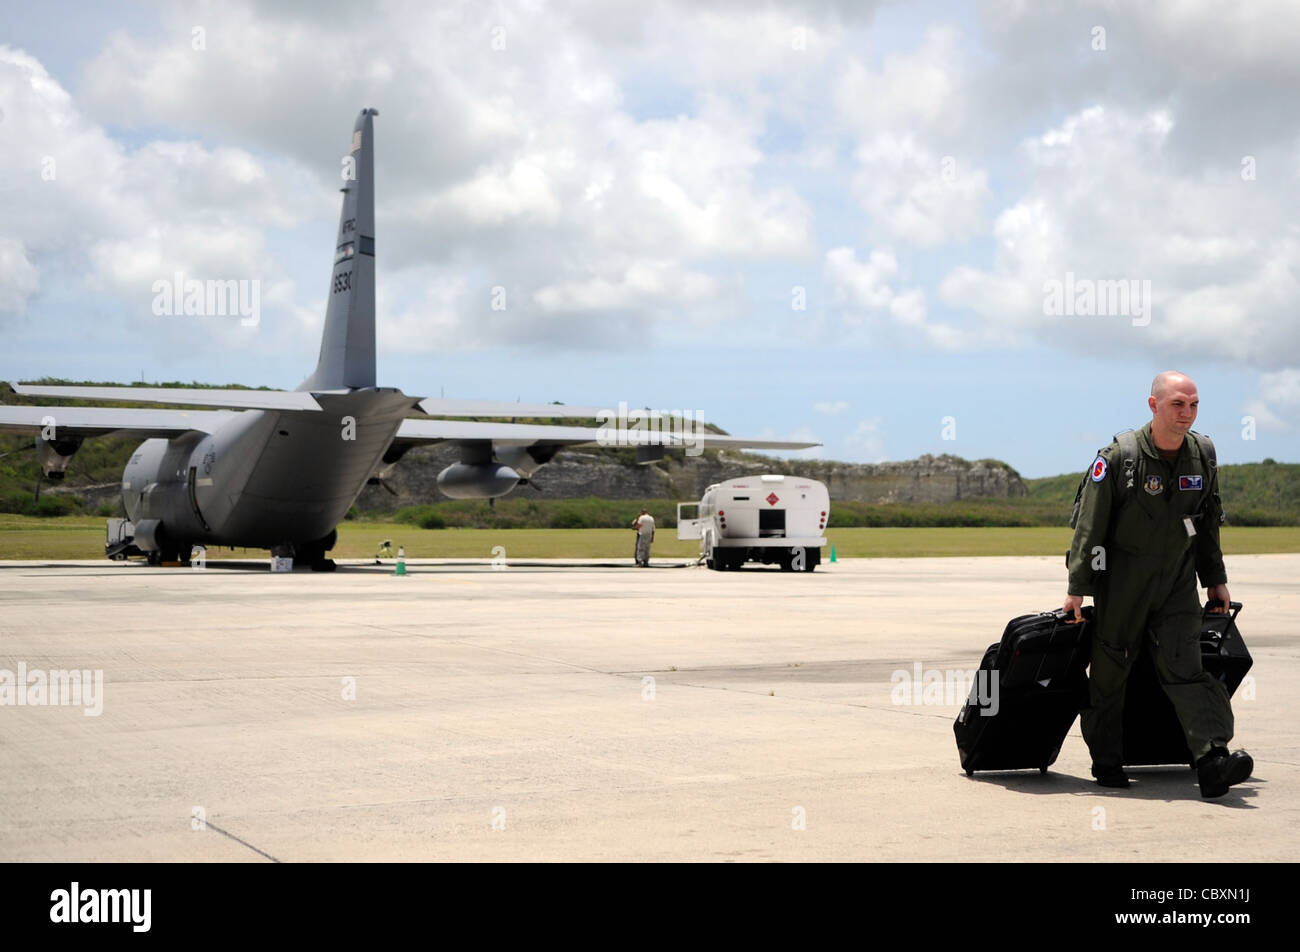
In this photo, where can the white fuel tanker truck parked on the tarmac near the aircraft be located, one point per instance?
(770, 520)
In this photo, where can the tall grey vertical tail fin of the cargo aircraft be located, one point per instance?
(348, 345)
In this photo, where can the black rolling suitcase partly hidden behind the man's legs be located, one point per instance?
(1152, 732)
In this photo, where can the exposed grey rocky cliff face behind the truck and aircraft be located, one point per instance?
(577, 474)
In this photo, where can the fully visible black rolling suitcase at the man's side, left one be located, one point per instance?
(1041, 674)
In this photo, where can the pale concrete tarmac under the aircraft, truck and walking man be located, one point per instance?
(570, 712)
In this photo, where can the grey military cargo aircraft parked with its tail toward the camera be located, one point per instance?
(279, 470)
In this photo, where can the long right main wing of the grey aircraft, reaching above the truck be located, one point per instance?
(539, 435)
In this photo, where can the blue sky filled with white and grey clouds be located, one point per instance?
(655, 189)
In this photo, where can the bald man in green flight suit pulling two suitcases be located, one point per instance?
(1149, 523)
